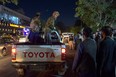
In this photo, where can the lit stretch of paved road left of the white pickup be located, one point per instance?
(6, 69)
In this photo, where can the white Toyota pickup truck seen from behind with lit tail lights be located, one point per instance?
(40, 57)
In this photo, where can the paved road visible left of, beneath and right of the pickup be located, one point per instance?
(6, 69)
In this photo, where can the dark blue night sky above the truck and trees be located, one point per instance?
(46, 7)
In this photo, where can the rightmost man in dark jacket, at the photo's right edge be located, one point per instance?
(106, 55)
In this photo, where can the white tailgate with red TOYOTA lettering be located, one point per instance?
(38, 53)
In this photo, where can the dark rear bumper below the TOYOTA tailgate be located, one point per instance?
(39, 66)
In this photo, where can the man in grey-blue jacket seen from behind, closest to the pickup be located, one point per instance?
(85, 57)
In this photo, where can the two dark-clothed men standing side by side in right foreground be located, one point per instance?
(95, 57)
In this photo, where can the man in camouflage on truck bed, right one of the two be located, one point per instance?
(50, 25)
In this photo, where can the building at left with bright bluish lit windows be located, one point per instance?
(9, 16)
